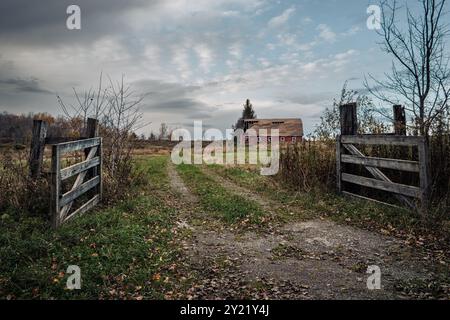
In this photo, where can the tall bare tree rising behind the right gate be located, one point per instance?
(420, 75)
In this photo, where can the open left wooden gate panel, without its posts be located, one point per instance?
(90, 169)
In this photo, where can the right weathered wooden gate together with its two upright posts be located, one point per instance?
(348, 153)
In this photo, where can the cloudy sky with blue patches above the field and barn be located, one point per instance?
(196, 60)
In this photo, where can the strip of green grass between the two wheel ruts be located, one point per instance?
(218, 200)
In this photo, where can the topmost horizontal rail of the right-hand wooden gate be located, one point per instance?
(382, 140)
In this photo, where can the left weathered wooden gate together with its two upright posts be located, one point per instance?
(88, 181)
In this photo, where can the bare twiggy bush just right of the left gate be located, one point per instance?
(117, 109)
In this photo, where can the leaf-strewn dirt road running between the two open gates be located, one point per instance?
(314, 259)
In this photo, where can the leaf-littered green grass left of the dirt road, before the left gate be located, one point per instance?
(123, 251)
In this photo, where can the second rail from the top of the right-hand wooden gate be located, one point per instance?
(396, 164)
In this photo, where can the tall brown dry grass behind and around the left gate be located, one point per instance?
(20, 195)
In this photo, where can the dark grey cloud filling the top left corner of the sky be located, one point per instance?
(44, 22)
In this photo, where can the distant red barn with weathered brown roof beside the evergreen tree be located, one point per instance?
(290, 130)
